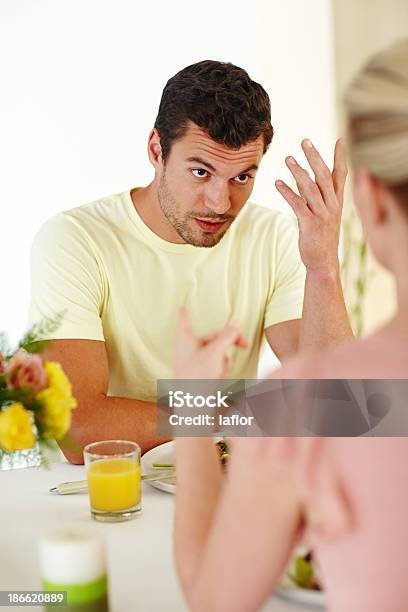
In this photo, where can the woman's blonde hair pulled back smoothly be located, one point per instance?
(377, 109)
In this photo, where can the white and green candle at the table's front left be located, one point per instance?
(73, 560)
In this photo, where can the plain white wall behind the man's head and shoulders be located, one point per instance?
(80, 85)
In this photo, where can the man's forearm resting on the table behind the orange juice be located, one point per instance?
(111, 418)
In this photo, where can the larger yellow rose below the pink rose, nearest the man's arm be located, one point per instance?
(54, 418)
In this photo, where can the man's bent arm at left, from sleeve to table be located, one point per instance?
(97, 416)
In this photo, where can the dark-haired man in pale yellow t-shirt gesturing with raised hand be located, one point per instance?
(121, 267)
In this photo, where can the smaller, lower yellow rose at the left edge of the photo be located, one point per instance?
(16, 428)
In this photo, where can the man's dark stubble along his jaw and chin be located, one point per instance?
(179, 221)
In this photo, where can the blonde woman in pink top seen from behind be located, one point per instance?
(349, 495)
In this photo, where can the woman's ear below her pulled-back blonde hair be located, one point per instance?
(371, 197)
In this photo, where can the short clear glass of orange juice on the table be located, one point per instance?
(114, 479)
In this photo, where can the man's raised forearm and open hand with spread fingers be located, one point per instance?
(318, 209)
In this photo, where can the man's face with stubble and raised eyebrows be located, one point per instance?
(203, 185)
